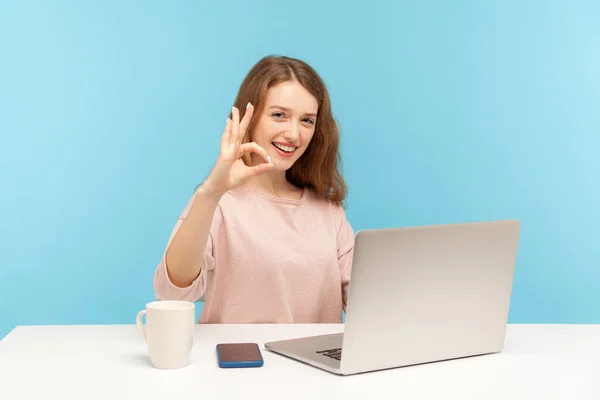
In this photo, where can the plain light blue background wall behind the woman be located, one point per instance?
(111, 112)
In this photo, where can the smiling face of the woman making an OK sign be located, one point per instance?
(287, 123)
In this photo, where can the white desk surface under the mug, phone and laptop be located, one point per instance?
(111, 362)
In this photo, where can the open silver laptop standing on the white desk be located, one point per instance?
(419, 295)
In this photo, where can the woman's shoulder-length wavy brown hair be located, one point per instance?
(319, 168)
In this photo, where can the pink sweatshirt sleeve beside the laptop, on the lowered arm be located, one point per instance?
(345, 250)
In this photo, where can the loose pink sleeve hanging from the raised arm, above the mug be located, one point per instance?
(164, 289)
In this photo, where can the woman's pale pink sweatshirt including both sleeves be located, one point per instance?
(269, 260)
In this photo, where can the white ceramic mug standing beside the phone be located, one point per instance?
(169, 332)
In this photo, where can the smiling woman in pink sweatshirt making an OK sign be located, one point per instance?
(265, 238)
